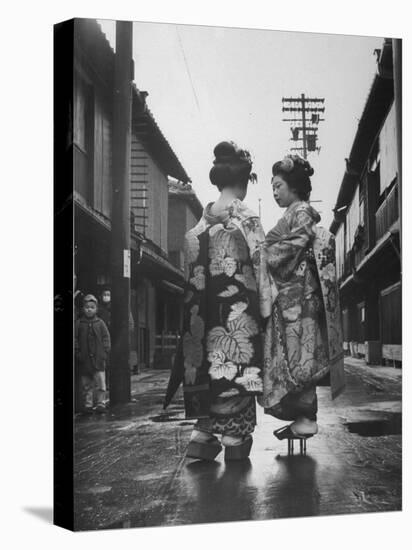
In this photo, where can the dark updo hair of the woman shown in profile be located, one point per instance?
(296, 171)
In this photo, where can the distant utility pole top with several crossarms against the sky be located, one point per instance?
(304, 121)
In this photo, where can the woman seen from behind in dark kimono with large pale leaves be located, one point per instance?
(221, 356)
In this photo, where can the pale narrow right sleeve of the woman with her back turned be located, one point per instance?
(255, 238)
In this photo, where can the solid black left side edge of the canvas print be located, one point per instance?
(63, 385)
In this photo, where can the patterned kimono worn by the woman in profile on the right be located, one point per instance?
(303, 340)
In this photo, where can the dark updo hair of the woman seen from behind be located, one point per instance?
(232, 165)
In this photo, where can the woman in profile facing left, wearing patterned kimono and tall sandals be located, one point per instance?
(303, 342)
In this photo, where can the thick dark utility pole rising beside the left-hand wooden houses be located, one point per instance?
(120, 224)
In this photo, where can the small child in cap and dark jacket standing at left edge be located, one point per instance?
(92, 348)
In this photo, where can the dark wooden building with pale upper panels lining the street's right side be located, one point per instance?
(367, 228)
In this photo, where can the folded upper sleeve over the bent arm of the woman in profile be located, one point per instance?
(284, 253)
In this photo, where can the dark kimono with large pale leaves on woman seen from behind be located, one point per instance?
(222, 335)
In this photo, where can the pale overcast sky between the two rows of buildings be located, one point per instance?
(209, 84)
